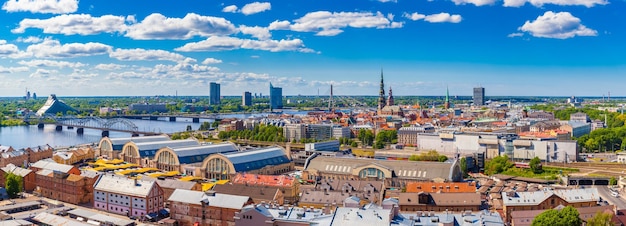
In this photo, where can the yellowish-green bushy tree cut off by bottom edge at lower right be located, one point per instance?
(568, 216)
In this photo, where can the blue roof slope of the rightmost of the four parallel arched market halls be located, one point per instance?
(257, 159)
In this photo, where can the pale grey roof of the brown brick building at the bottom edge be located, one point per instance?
(236, 202)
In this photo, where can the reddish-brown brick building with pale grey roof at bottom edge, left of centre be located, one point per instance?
(191, 207)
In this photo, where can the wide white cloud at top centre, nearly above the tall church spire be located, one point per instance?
(326, 23)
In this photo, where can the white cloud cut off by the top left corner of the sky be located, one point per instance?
(41, 6)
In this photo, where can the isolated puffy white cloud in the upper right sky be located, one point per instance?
(560, 25)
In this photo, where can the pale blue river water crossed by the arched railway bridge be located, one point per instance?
(31, 136)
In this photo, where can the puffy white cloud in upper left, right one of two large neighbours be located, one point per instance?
(158, 27)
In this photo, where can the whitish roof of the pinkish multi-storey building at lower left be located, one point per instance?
(122, 185)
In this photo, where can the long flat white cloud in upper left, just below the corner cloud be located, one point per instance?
(75, 24)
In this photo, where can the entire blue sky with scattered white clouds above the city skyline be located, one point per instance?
(146, 47)
